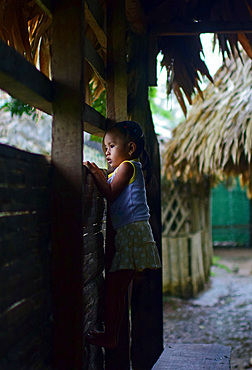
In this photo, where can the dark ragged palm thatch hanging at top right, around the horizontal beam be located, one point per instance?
(182, 54)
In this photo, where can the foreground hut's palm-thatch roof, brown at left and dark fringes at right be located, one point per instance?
(26, 26)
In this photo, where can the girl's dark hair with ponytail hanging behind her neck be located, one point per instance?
(131, 131)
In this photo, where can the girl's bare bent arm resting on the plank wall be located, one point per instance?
(121, 179)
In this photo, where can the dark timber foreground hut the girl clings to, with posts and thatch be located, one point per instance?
(110, 45)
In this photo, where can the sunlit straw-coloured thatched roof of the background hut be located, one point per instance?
(216, 138)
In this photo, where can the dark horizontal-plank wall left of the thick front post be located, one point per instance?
(25, 309)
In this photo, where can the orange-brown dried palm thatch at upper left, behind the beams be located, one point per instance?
(27, 28)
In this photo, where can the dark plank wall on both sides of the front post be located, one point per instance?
(25, 268)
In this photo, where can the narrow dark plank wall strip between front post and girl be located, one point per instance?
(93, 266)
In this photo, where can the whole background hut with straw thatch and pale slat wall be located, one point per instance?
(213, 142)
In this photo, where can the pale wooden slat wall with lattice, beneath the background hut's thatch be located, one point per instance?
(186, 243)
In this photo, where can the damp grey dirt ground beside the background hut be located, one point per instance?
(222, 313)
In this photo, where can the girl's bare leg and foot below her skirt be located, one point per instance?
(116, 286)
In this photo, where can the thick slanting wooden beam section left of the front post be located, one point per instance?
(23, 81)
